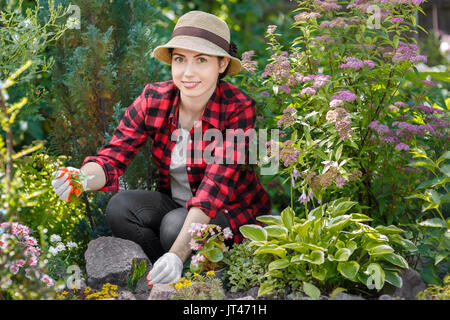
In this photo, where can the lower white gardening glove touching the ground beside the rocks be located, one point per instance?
(167, 269)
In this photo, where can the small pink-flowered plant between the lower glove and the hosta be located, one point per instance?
(208, 241)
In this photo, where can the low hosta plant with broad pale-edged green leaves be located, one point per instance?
(328, 248)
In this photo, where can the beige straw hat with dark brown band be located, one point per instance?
(200, 32)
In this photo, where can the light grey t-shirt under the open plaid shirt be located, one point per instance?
(179, 183)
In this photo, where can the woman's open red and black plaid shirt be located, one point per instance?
(226, 186)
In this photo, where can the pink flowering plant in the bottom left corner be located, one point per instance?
(21, 268)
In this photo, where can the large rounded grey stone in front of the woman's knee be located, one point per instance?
(109, 259)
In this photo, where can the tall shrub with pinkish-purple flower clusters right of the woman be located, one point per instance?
(341, 96)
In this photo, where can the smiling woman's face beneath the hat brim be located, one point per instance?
(196, 74)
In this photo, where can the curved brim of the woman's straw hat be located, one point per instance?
(198, 45)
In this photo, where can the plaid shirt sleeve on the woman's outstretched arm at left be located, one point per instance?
(128, 138)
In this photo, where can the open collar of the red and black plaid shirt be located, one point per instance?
(210, 113)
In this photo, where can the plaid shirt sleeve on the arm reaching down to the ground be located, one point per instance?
(220, 179)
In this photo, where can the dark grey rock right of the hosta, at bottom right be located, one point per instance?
(412, 285)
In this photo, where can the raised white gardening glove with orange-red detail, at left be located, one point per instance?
(67, 181)
